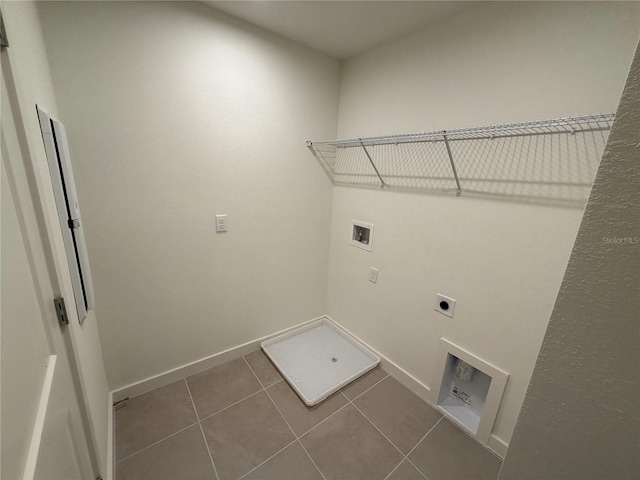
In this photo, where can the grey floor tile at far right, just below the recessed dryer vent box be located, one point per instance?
(448, 453)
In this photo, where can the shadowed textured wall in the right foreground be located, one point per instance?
(580, 417)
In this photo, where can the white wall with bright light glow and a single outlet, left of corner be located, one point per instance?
(175, 113)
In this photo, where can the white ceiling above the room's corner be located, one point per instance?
(341, 29)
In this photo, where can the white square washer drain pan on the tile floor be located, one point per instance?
(318, 359)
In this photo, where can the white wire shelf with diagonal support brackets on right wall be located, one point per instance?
(544, 160)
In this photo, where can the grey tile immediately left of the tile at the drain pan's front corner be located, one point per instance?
(245, 435)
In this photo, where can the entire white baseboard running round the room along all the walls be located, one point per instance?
(495, 444)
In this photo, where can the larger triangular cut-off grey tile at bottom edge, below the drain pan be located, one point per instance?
(292, 463)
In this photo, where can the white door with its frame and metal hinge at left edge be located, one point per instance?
(53, 415)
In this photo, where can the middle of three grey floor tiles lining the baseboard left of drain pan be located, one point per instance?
(221, 386)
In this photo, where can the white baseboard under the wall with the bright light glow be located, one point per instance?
(162, 379)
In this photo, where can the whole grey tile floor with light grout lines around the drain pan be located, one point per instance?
(241, 420)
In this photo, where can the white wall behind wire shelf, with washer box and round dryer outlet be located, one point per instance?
(502, 261)
